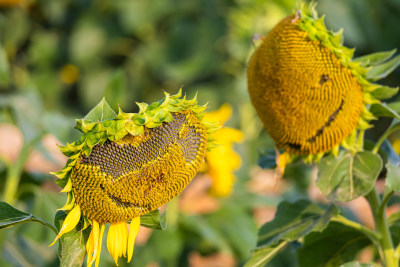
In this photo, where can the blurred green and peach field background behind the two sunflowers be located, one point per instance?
(59, 58)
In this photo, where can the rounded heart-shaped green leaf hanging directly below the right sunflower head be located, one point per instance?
(348, 176)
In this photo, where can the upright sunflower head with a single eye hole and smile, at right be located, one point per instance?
(311, 96)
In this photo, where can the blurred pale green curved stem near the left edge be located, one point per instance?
(15, 171)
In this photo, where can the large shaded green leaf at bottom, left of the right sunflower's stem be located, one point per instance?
(292, 221)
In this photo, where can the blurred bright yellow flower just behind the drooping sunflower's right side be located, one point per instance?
(222, 161)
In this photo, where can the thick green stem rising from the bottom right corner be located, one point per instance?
(381, 226)
